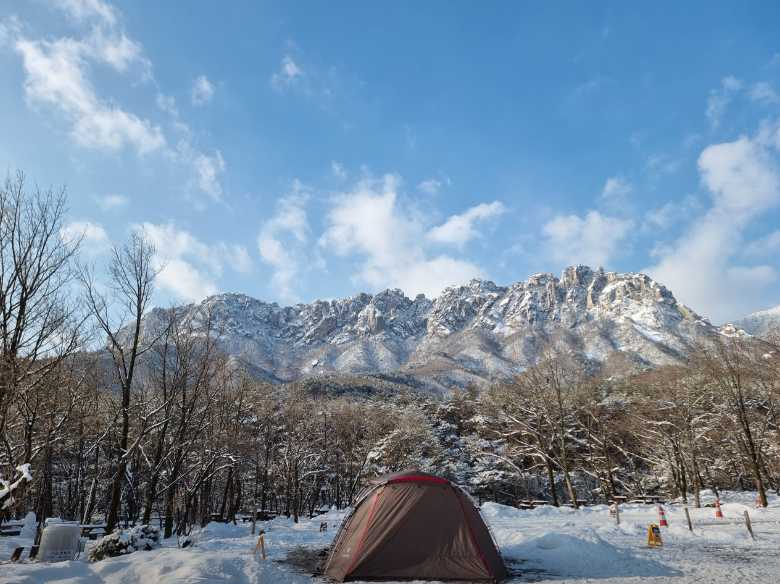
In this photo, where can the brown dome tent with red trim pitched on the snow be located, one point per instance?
(414, 526)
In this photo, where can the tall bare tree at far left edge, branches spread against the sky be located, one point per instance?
(39, 324)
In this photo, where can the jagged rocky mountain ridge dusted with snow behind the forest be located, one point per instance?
(473, 333)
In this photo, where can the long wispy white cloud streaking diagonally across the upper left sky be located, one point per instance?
(57, 76)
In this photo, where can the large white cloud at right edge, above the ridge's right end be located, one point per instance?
(744, 181)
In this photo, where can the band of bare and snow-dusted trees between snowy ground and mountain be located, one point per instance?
(103, 421)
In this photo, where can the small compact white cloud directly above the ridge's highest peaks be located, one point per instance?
(593, 239)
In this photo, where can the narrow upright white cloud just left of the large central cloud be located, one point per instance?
(281, 239)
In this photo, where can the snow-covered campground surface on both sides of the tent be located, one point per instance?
(542, 545)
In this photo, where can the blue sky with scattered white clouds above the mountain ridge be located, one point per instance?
(295, 151)
